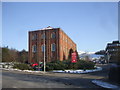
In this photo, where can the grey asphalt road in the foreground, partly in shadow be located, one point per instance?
(12, 79)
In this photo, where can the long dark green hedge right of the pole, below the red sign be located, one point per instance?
(66, 64)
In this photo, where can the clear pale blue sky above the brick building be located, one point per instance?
(91, 25)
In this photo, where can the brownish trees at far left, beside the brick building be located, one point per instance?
(13, 55)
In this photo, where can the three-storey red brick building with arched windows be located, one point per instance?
(56, 43)
